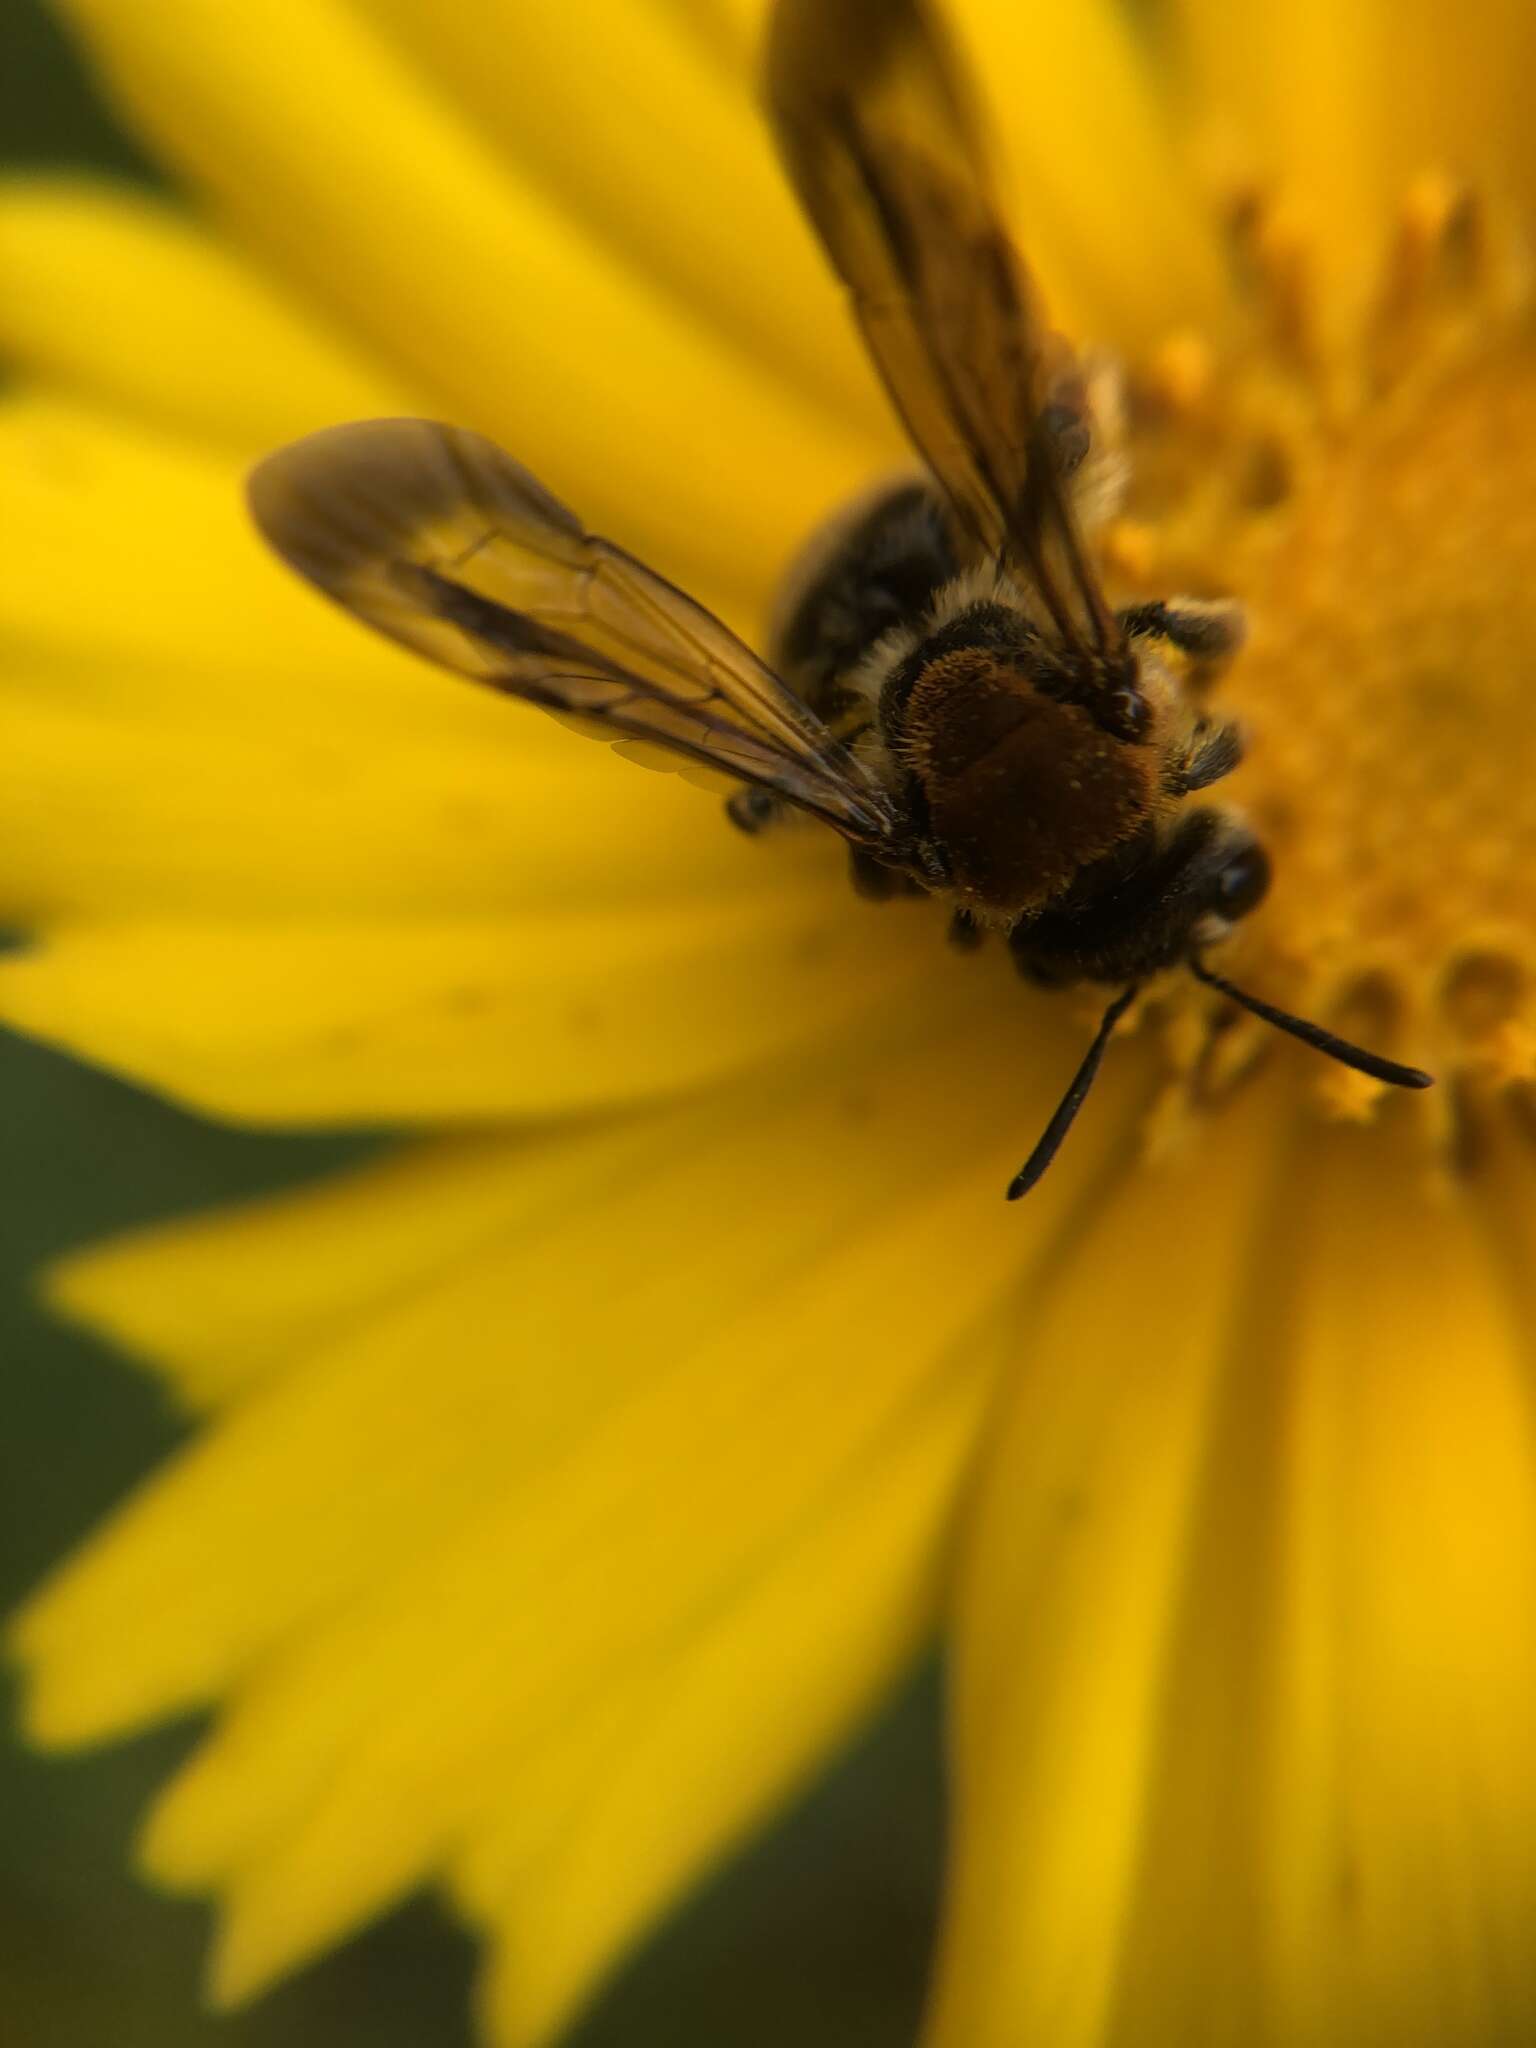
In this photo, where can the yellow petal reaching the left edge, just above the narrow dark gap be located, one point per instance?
(525, 1013)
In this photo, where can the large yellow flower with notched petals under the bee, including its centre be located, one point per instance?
(579, 1478)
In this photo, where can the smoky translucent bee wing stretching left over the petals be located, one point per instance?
(439, 540)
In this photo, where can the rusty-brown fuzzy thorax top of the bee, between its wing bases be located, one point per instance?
(1023, 792)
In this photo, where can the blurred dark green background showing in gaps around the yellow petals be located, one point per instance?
(818, 1934)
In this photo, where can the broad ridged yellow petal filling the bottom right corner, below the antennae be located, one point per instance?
(1273, 1775)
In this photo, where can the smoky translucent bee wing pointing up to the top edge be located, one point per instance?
(886, 155)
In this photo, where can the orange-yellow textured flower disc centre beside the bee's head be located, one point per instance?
(1392, 697)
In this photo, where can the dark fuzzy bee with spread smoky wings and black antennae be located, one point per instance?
(951, 691)
